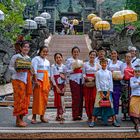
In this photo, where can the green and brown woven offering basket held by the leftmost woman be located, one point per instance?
(23, 64)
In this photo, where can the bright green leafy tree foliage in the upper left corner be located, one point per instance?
(11, 26)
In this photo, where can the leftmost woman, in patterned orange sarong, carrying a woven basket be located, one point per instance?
(22, 85)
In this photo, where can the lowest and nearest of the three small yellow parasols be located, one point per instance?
(102, 25)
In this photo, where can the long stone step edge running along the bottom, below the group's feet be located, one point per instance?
(69, 132)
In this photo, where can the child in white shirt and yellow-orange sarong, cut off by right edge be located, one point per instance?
(134, 111)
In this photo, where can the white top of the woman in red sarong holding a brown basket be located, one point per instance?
(89, 69)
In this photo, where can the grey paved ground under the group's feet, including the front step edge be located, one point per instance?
(53, 129)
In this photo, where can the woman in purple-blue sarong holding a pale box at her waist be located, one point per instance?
(115, 67)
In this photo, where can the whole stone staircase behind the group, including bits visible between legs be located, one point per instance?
(62, 44)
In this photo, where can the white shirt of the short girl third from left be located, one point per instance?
(56, 70)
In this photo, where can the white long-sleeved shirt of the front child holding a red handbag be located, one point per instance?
(104, 80)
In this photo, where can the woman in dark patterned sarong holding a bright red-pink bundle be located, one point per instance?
(128, 72)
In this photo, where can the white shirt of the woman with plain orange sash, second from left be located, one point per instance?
(39, 63)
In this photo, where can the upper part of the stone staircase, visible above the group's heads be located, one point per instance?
(64, 43)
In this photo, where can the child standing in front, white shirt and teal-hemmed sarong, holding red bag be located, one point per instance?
(104, 85)
